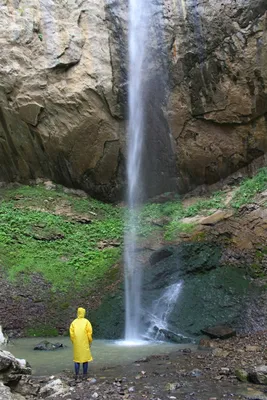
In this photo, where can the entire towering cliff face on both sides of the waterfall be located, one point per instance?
(63, 92)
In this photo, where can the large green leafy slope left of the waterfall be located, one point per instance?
(66, 253)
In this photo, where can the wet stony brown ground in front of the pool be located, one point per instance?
(185, 374)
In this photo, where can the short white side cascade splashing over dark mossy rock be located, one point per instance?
(162, 309)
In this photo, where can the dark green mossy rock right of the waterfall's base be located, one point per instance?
(211, 294)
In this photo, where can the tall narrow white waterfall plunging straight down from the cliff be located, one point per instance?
(138, 34)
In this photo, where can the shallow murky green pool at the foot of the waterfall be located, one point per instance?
(105, 353)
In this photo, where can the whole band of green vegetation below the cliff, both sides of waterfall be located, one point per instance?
(73, 241)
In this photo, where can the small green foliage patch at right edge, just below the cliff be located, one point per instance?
(249, 188)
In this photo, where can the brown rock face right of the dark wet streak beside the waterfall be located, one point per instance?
(217, 105)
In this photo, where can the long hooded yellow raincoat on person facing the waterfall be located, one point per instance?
(81, 336)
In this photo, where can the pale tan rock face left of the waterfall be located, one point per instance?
(59, 113)
